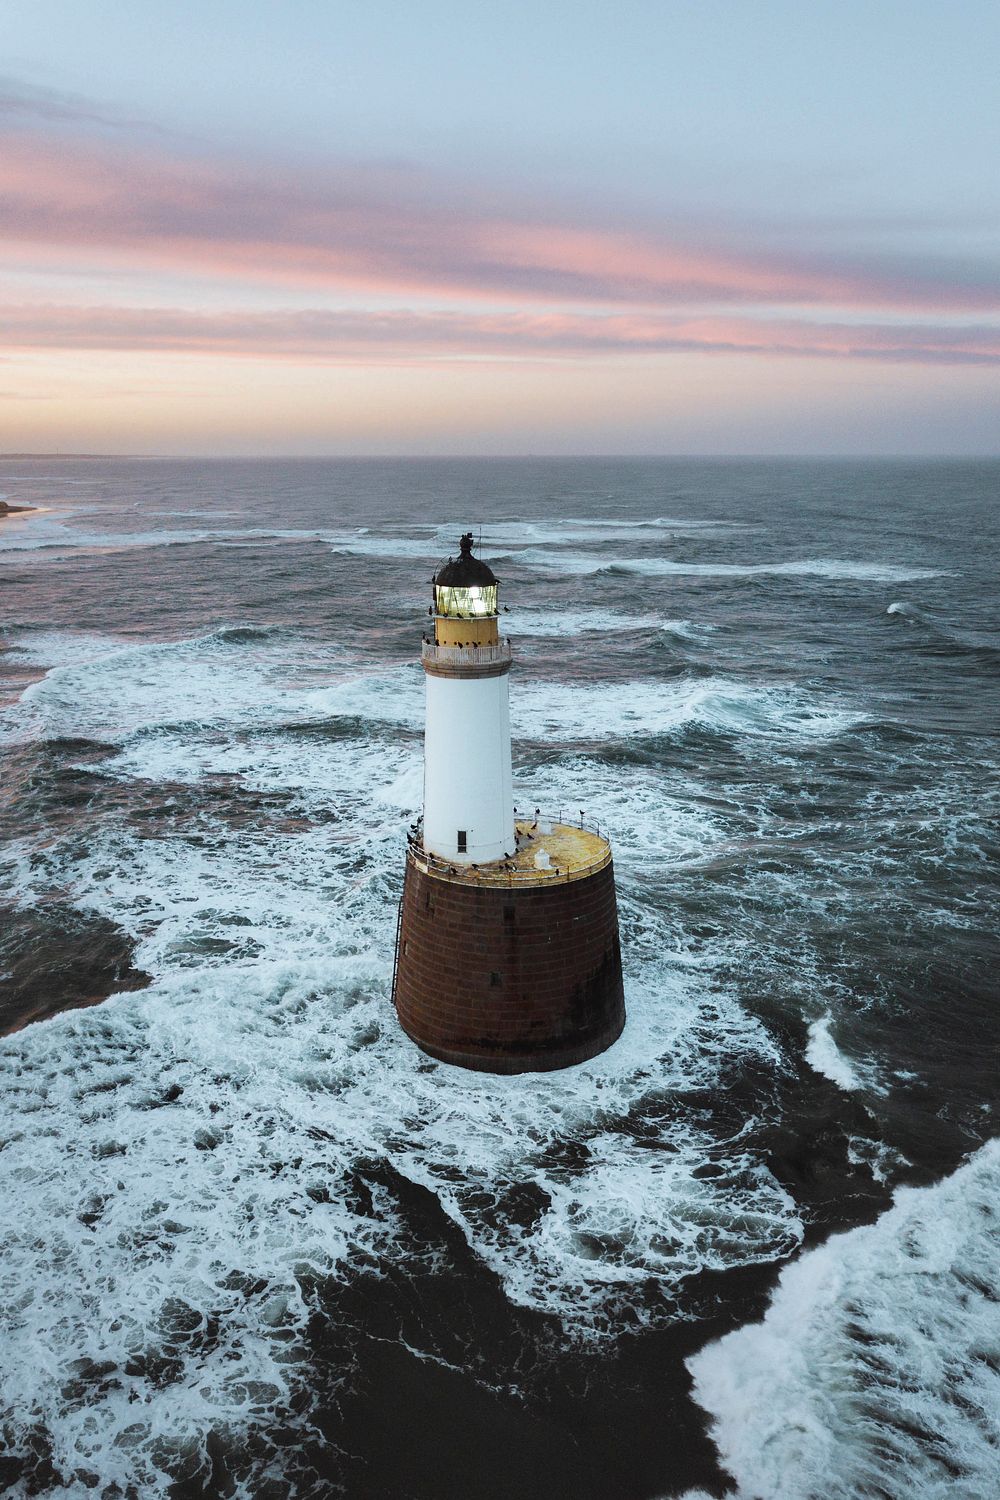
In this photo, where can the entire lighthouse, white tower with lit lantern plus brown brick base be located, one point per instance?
(507, 949)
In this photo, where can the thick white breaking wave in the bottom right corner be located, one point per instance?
(876, 1369)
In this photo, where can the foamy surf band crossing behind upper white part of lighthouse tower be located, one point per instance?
(109, 691)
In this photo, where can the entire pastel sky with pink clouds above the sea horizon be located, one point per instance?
(735, 227)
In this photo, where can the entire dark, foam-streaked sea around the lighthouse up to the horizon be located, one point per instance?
(253, 1243)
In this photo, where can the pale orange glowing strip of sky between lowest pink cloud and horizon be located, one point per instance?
(650, 404)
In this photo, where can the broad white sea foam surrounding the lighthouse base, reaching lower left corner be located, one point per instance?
(197, 1142)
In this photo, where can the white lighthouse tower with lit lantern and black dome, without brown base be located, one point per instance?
(469, 784)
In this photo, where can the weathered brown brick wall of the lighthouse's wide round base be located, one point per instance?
(510, 980)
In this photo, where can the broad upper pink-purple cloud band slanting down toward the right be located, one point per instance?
(88, 197)
